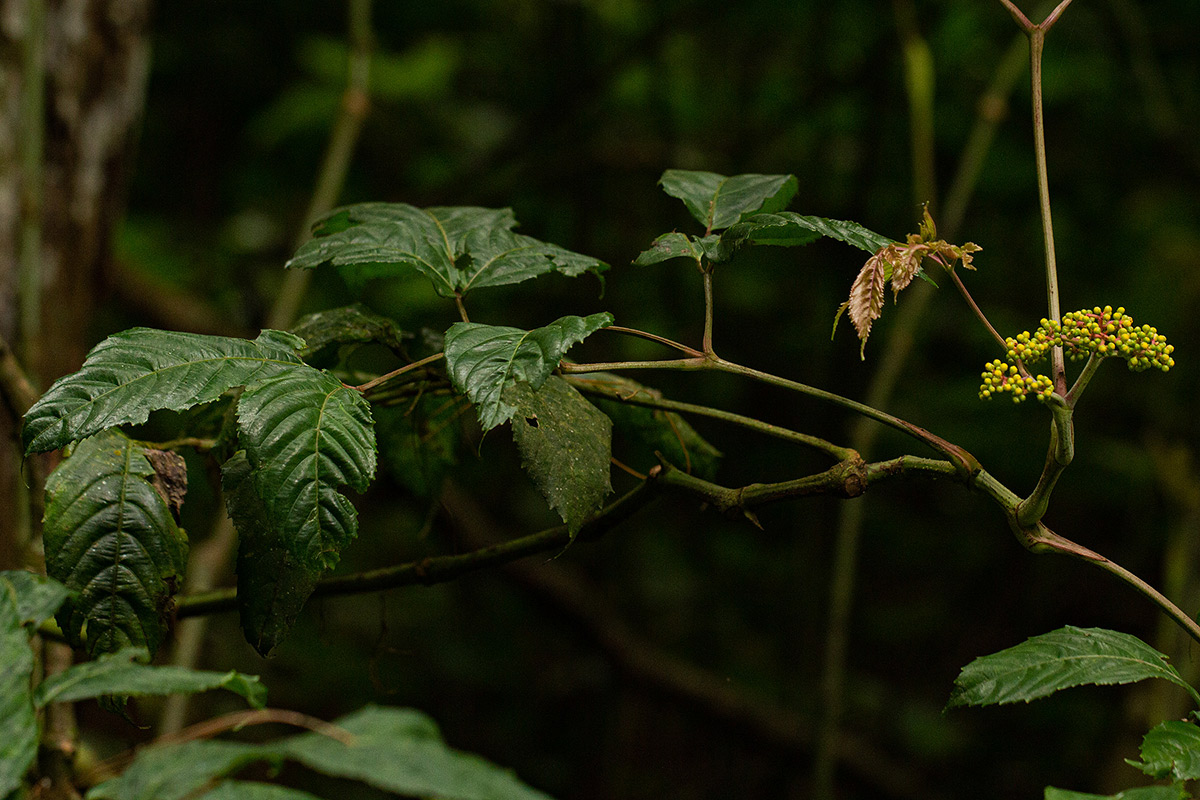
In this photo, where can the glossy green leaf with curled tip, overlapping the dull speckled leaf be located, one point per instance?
(487, 360)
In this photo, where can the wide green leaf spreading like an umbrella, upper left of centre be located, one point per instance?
(458, 249)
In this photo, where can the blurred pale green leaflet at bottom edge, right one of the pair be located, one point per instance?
(400, 750)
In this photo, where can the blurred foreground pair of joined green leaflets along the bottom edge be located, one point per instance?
(395, 750)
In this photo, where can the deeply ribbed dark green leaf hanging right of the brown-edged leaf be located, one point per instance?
(307, 435)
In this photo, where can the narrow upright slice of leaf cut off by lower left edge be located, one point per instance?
(19, 723)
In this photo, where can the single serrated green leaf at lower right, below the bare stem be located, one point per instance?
(1070, 657)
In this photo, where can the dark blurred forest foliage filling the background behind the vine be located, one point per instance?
(568, 113)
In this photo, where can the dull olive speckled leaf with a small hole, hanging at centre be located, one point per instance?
(566, 446)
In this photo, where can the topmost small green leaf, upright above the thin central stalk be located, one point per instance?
(718, 202)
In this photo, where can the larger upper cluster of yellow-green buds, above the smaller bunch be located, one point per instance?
(1096, 332)
